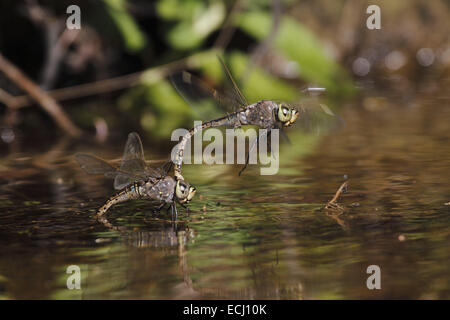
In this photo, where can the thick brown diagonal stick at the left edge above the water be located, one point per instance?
(45, 101)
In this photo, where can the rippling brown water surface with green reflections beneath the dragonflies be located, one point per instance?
(249, 237)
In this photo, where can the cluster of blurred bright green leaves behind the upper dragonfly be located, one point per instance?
(161, 109)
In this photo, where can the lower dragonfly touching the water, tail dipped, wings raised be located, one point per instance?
(137, 180)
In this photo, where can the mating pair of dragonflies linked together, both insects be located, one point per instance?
(138, 181)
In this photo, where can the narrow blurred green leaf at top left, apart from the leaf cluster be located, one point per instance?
(134, 39)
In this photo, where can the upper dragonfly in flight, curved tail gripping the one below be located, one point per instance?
(265, 114)
